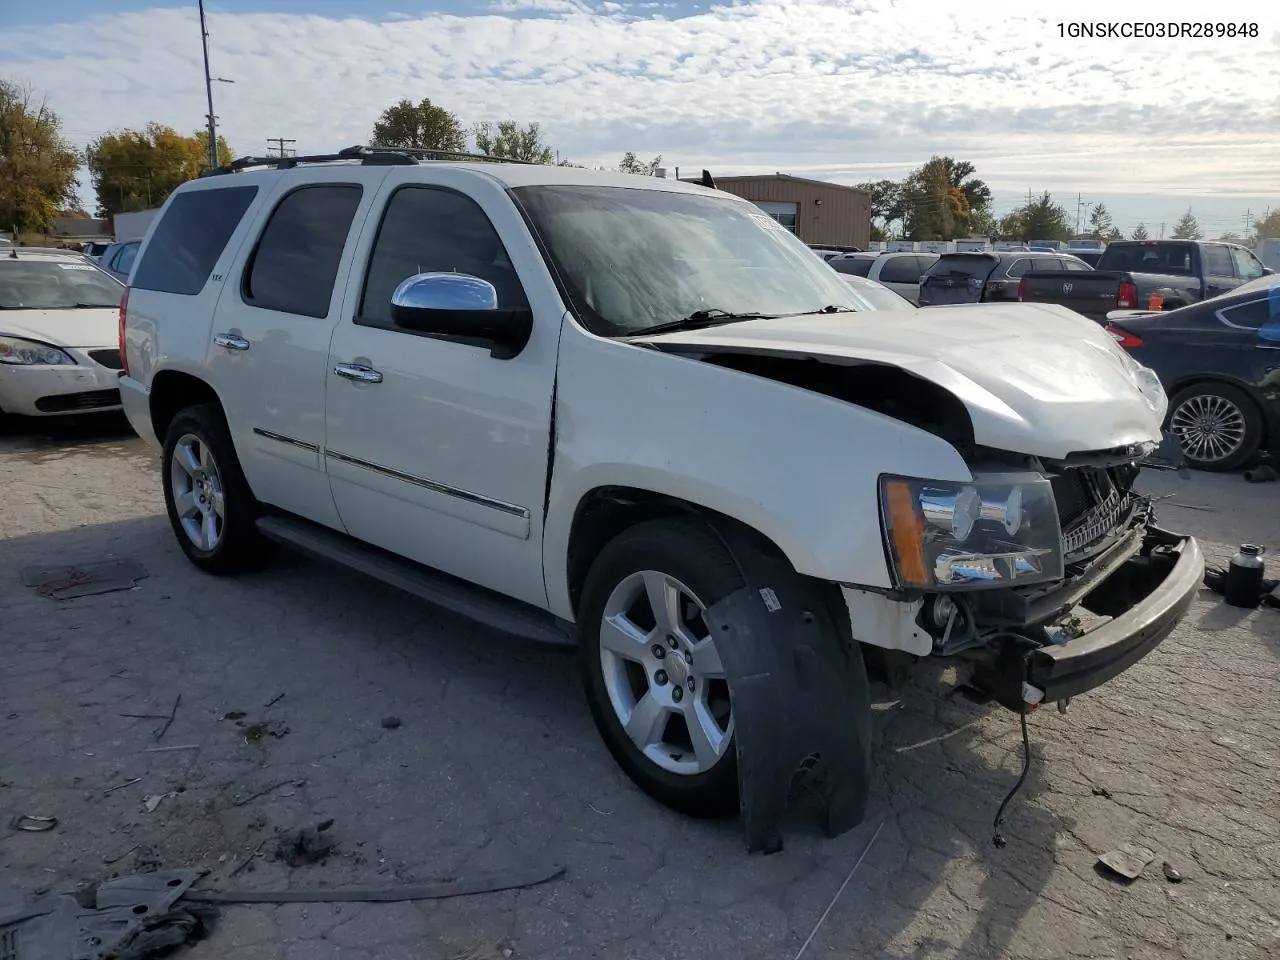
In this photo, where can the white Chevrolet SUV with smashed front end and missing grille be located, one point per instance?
(638, 415)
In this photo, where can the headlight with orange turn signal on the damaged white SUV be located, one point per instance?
(999, 531)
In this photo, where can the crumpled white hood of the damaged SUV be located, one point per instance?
(1036, 378)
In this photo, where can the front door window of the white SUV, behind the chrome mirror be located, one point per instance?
(428, 230)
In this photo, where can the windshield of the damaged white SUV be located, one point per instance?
(634, 259)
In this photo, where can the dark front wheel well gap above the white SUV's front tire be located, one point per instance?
(607, 511)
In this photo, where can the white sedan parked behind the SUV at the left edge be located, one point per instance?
(60, 335)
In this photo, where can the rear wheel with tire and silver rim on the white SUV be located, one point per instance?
(212, 510)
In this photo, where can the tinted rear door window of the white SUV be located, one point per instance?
(295, 266)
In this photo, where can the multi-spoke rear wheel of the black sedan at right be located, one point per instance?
(1218, 426)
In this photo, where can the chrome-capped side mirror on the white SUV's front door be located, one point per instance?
(461, 308)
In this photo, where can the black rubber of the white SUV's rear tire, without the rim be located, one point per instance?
(240, 547)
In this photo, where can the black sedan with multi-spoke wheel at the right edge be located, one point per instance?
(1219, 362)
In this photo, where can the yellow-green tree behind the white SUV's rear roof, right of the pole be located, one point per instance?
(139, 170)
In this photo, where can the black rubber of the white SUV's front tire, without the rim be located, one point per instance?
(688, 551)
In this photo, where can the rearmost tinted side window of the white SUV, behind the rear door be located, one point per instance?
(190, 239)
